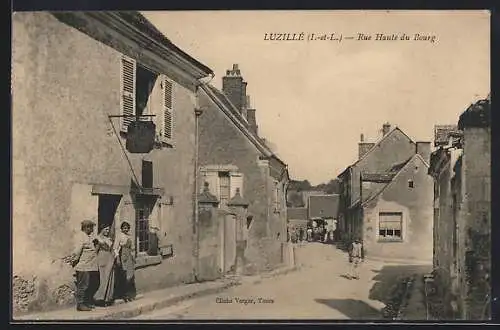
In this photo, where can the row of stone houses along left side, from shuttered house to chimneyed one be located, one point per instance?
(80, 81)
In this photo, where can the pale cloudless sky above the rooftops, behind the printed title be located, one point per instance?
(315, 98)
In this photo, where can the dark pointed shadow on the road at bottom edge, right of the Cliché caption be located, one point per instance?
(352, 308)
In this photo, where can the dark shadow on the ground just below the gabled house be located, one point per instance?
(388, 278)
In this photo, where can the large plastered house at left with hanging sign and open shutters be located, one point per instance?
(71, 71)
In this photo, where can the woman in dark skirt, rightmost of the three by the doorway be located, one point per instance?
(125, 254)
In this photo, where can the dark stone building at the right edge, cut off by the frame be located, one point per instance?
(461, 168)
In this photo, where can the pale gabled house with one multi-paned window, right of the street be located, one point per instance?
(386, 197)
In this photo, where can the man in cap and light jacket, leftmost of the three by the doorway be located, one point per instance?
(84, 261)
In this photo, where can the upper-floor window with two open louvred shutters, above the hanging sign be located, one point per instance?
(137, 87)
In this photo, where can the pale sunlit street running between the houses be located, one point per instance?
(317, 291)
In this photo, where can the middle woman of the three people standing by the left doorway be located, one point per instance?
(106, 265)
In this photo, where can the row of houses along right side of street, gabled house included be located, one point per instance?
(408, 202)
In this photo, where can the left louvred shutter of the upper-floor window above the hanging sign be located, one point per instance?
(128, 80)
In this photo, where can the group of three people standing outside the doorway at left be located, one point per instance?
(104, 266)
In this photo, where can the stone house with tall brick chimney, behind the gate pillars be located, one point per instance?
(232, 157)
